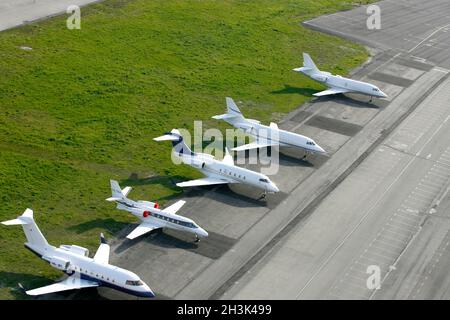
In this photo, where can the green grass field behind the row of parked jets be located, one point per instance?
(83, 106)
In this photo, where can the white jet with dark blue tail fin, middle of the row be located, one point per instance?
(216, 171)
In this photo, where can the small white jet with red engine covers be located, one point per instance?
(151, 216)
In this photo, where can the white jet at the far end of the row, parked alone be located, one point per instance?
(335, 83)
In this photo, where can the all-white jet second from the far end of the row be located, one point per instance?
(266, 136)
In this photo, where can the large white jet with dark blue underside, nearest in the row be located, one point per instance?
(84, 272)
